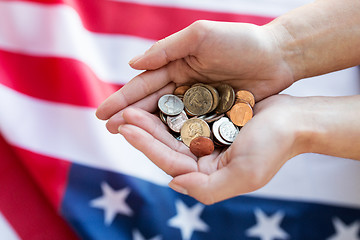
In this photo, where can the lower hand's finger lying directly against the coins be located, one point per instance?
(154, 126)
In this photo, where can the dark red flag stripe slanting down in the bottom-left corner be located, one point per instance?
(24, 205)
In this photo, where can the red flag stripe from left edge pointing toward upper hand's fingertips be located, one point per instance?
(55, 79)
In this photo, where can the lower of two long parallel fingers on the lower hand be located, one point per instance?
(170, 161)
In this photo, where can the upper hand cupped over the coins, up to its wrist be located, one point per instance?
(243, 55)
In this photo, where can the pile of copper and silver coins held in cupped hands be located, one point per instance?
(204, 117)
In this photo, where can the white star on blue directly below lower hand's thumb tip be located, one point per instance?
(188, 219)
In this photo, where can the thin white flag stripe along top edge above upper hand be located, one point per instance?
(271, 8)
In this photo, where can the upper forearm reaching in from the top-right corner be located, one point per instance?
(320, 37)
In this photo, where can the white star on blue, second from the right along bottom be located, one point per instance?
(267, 228)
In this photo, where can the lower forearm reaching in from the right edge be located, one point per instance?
(330, 125)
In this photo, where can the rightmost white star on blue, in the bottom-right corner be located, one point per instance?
(344, 232)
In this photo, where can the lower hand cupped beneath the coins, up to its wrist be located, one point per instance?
(263, 145)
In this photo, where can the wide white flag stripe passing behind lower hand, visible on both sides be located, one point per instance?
(73, 133)
